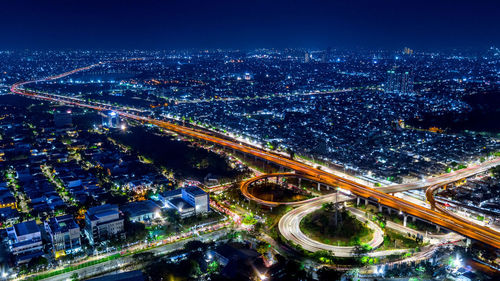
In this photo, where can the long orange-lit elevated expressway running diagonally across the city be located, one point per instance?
(479, 233)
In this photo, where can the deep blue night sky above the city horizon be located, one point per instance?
(146, 24)
